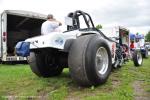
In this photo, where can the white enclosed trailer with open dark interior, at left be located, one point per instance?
(15, 26)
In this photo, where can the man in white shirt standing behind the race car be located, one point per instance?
(50, 25)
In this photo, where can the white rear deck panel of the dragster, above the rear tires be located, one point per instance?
(53, 40)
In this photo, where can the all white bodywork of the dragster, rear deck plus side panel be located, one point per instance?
(57, 40)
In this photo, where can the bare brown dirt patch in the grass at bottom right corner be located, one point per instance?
(139, 92)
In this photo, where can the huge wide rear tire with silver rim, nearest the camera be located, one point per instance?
(89, 60)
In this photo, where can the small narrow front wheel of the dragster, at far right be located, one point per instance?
(137, 58)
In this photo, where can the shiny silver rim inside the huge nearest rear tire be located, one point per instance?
(101, 60)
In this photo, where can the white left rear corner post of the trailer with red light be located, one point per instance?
(4, 36)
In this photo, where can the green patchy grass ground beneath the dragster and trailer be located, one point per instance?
(17, 81)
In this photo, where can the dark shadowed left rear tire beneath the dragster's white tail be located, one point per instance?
(43, 65)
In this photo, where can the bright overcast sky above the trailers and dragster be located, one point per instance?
(133, 14)
